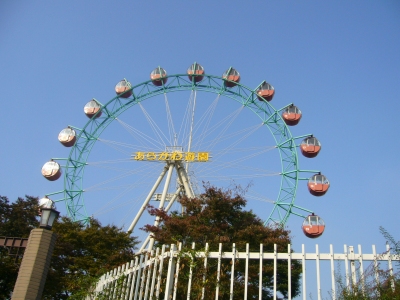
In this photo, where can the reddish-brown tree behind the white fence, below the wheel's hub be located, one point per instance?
(217, 216)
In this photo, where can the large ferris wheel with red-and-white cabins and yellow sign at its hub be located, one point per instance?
(170, 135)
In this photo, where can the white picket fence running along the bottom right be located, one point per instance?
(153, 274)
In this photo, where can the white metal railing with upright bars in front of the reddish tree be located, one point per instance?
(156, 275)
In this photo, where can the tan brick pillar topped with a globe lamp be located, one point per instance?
(36, 260)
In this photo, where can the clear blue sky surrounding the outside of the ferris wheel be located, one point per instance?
(337, 60)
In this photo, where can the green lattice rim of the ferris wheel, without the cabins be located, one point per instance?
(74, 167)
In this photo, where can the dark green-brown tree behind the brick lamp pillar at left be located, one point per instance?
(82, 252)
